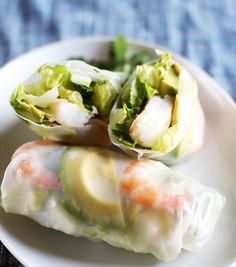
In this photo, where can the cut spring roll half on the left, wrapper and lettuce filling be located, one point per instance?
(69, 101)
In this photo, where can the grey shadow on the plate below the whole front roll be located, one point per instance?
(60, 245)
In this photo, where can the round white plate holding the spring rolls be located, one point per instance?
(215, 165)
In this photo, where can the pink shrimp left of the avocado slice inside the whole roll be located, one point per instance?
(41, 177)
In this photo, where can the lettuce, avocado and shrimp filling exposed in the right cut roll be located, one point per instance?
(145, 107)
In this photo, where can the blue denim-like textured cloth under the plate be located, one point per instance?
(204, 31)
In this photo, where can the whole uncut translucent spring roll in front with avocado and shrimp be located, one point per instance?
(95, 193)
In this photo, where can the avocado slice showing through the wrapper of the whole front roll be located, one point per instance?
(90, 182)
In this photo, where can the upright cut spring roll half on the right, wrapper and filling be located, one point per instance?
(158, 114)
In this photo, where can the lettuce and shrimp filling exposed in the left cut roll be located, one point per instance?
(67, 94)
